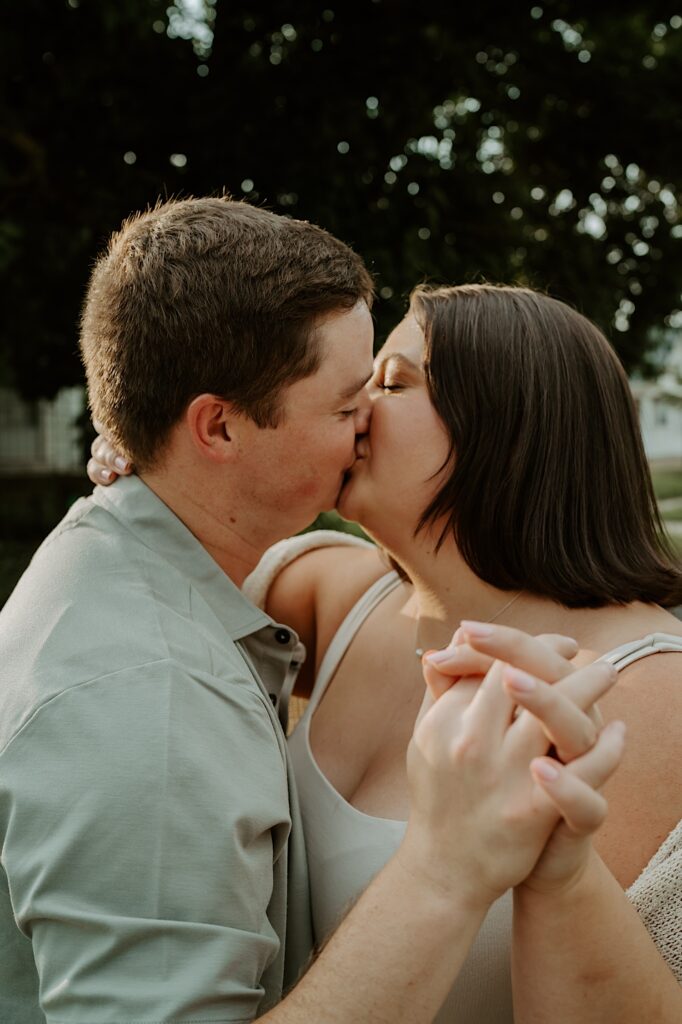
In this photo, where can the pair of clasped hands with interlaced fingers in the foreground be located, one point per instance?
(524, 817)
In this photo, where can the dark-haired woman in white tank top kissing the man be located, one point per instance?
(504, 475)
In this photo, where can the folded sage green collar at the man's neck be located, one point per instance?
(152, 522)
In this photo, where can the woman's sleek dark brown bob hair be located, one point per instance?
(550, 490)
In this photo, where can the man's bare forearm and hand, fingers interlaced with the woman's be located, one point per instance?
(398, 953)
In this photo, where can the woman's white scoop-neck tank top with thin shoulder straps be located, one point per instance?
(347, 848)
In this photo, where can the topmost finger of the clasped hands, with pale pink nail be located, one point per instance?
(529, 654)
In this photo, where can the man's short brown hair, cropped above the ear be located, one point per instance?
(207, 296)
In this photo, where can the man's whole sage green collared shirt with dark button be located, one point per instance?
(152, 859)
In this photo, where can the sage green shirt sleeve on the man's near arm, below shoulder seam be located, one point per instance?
(146, 810)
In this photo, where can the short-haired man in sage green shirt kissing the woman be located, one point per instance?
(153, 868)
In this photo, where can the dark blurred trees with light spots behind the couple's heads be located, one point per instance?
(523, 143)
